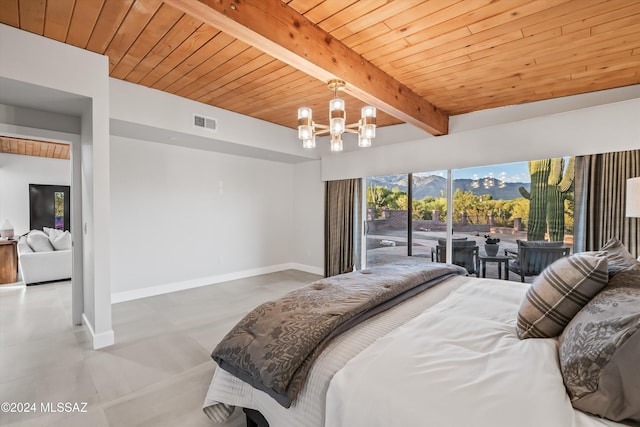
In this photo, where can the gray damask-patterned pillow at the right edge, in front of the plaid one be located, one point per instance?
(600, 351)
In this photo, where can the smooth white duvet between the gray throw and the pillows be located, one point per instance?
(458, 364)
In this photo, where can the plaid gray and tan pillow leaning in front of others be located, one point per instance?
(559, 293)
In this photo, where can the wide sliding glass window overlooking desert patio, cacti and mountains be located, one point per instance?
(514, 201)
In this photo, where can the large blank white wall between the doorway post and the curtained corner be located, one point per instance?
(183, 217)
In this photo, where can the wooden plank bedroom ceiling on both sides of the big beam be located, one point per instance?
(457, 55)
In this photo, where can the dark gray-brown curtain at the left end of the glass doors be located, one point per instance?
(342, 219)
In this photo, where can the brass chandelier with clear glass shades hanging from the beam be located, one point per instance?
(308, 129)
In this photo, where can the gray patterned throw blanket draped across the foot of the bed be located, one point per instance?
(273, 347)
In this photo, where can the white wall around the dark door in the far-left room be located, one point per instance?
(16, 173)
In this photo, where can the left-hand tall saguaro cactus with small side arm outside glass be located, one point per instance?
(539, 171)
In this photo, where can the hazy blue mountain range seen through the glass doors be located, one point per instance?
(436, 186)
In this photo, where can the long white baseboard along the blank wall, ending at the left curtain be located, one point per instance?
(150, 291)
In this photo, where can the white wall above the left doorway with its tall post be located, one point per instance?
(35, 62)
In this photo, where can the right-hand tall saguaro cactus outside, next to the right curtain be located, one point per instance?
(559, 187)
